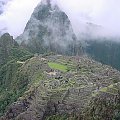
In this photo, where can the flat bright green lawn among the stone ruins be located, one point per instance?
(57, 66)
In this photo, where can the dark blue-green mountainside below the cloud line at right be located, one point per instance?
(105, 51)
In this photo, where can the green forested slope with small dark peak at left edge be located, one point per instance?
(12, 56)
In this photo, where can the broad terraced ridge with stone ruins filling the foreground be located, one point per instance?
(60, 87)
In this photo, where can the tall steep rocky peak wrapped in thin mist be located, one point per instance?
(49, 29)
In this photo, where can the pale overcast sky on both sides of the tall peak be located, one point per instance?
(101, 12)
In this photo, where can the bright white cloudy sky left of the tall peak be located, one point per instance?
(16, 15)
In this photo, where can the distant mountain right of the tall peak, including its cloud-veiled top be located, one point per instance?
(100, 46)
